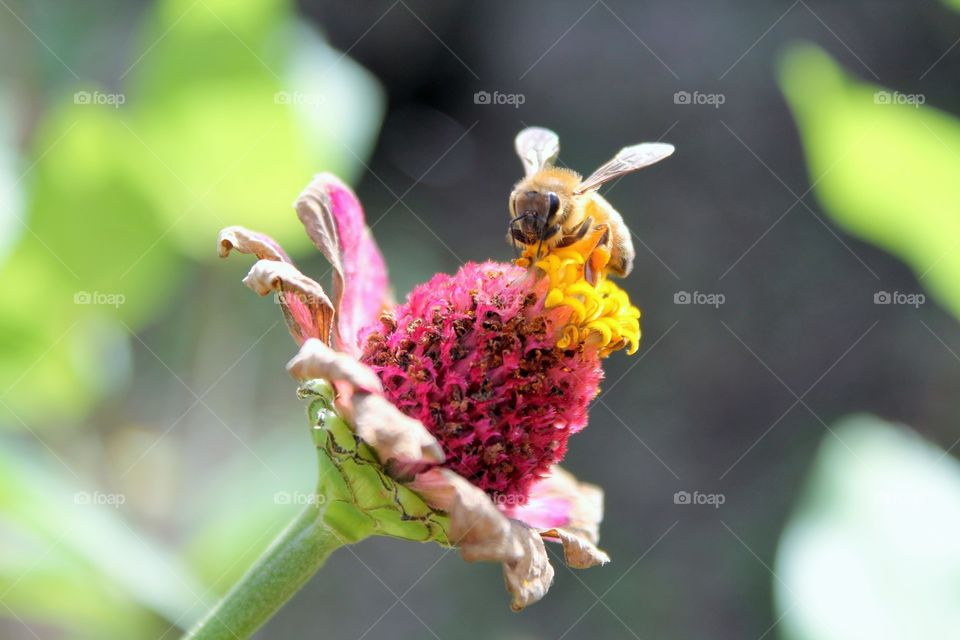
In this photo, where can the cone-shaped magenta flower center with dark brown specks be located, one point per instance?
(476, 358)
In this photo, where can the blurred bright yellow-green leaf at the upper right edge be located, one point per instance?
(885, 167)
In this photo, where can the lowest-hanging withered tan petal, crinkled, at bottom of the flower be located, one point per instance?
(483, 533)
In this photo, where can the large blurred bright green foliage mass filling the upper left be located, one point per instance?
(227, 111)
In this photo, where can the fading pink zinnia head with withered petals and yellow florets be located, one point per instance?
(466, 393)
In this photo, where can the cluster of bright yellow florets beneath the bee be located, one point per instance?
(600, 314)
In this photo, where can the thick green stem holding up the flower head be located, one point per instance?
(297, 553)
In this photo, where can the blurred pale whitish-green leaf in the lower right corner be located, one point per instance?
(871, 549)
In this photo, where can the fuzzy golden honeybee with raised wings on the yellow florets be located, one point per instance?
(553, 207)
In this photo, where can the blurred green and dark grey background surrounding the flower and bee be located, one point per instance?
(152, 443)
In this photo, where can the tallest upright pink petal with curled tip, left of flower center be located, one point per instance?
(334, 220)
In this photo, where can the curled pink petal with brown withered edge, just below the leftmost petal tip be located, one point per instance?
(306, 308)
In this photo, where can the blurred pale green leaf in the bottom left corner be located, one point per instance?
(94, 571)
